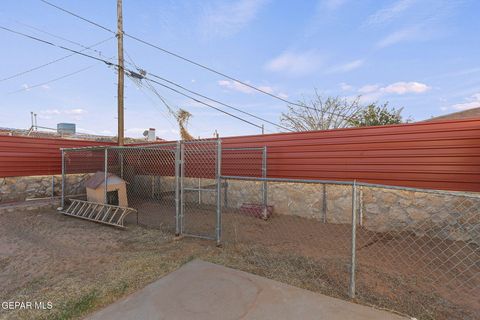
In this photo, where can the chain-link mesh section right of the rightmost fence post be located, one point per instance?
(419, 248)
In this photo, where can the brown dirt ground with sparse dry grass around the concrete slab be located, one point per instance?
(81, 266)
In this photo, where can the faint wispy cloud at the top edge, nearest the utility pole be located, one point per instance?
(225, 19)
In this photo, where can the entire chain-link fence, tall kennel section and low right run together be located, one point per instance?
(411, 250)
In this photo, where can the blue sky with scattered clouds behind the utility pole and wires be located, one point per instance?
(420, 55)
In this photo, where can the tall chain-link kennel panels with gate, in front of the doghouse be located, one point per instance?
(172, 186)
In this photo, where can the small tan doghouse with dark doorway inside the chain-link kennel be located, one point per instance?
(116, 189)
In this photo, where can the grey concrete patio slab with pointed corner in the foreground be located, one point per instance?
(201, 290)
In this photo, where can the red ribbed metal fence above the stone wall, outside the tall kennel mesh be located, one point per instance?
(436, 155)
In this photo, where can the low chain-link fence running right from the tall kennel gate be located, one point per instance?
(415, 251)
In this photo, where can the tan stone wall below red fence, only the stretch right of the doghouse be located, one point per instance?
(446, 216)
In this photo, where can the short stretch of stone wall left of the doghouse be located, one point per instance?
(21, 188)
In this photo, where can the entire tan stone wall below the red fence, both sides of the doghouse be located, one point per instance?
(448, 216)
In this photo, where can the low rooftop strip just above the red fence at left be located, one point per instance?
(78, 136)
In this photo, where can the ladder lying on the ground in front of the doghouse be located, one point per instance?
(99, 212)
